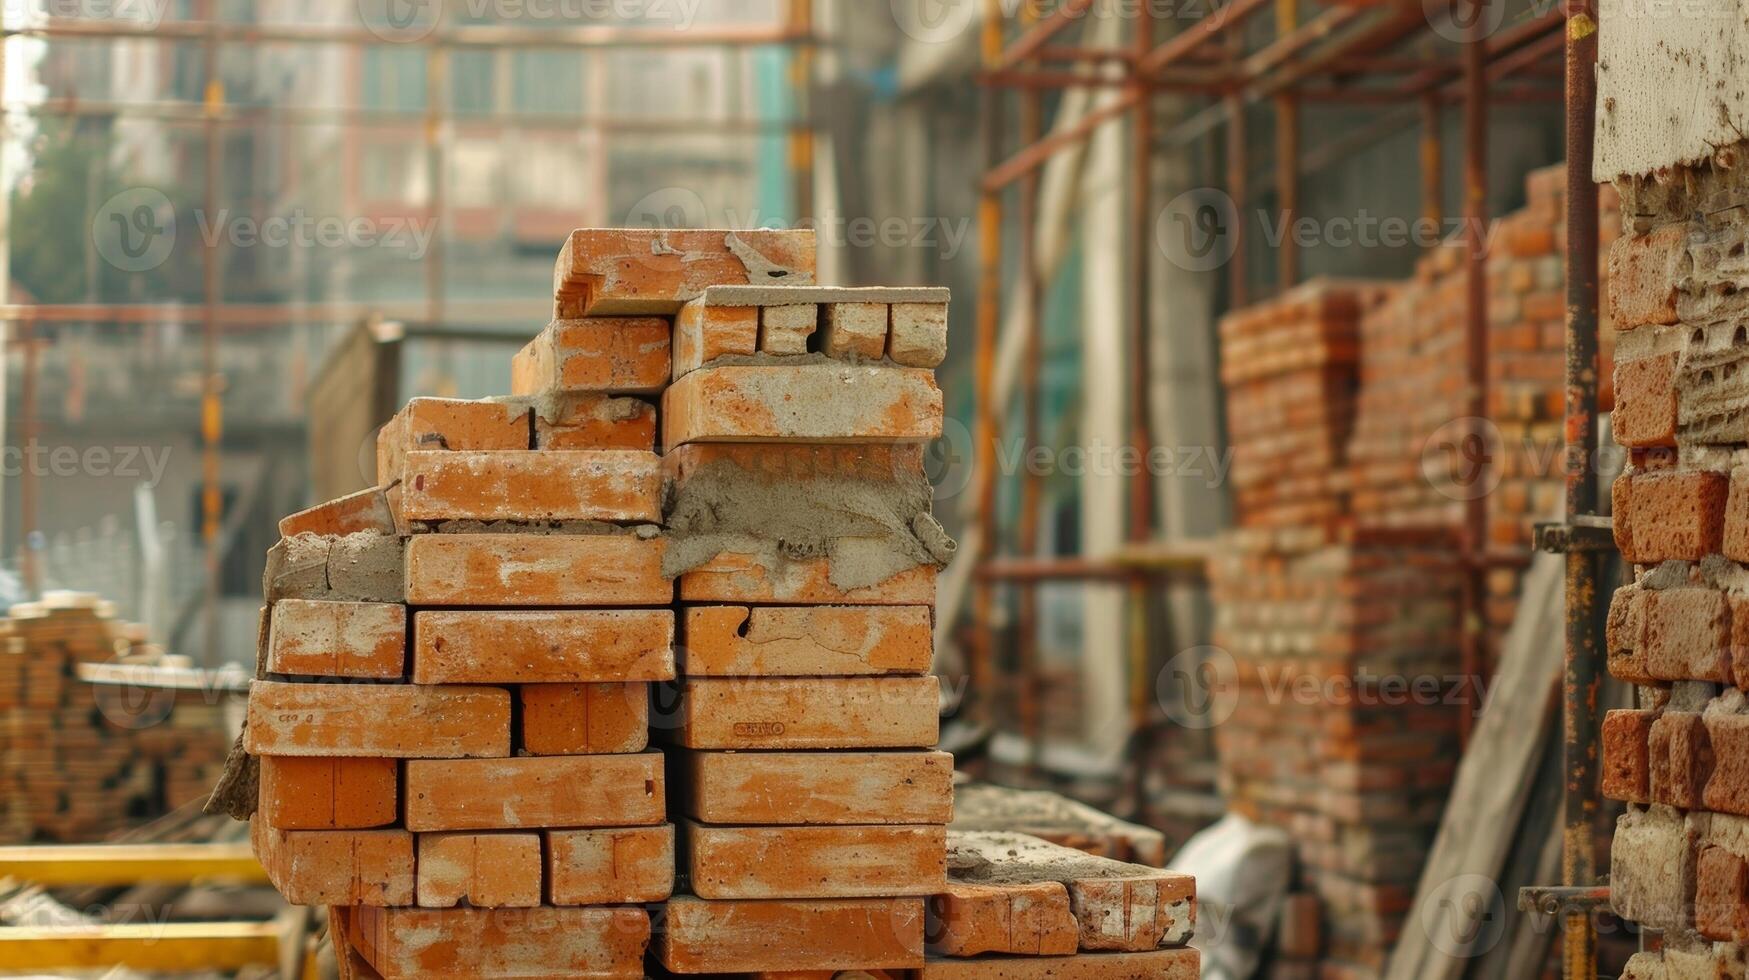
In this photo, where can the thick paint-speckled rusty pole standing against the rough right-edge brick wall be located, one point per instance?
(1580, 676)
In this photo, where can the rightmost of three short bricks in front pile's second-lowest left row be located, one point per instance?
(610, 867)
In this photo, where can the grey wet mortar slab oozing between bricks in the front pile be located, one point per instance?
(868, 529)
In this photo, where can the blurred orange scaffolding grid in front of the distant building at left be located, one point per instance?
(27, 323)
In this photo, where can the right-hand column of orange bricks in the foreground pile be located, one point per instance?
(805, 717)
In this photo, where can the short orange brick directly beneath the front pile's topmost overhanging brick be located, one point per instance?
(594, 354)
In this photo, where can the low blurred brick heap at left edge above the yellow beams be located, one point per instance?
(83, 762)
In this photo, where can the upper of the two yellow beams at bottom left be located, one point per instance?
(130, 864)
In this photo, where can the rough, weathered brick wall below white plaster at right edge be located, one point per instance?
(1680, 631)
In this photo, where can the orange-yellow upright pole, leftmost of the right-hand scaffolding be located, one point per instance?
(984, 379)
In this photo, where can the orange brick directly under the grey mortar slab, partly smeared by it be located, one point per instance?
(755, 578)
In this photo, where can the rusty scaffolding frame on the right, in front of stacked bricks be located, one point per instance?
(1339, 55)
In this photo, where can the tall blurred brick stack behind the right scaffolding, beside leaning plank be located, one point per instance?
(1320, 615)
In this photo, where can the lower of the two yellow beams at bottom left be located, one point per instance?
(169, 948)
